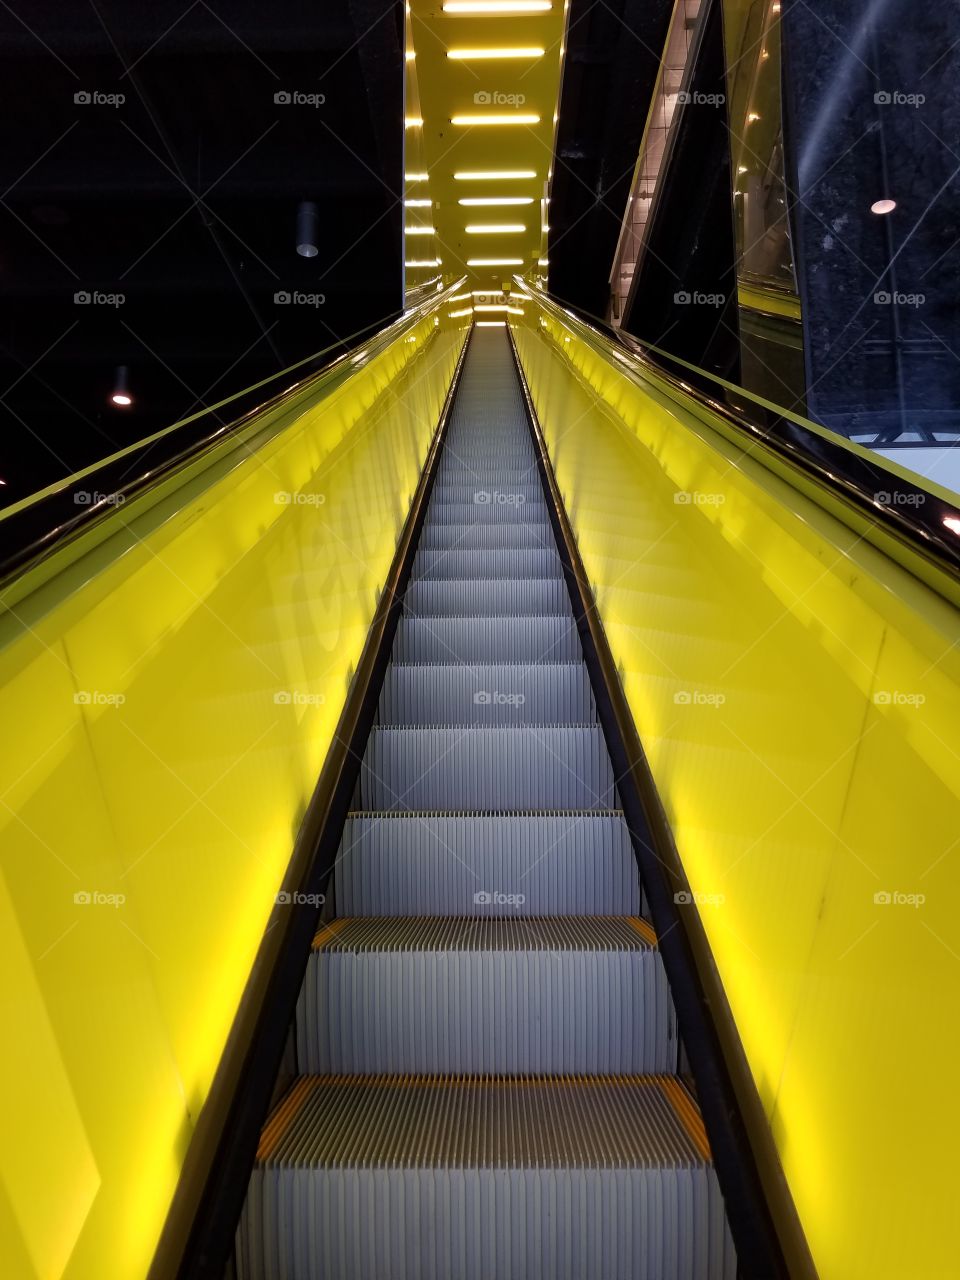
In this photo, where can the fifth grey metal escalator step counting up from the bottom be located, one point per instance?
(488, 694)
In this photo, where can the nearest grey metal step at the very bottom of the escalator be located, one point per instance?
(426, 1178)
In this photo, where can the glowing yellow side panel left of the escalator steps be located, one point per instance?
(170, 688)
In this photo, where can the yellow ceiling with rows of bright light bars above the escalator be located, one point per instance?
(495, 68)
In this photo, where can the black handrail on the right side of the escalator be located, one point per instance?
(922, 523)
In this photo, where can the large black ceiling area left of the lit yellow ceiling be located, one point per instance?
(181, 196)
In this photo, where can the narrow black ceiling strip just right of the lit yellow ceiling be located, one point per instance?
(614, 53)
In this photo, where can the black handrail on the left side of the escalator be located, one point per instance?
(34, 529)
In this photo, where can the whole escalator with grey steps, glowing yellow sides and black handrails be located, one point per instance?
(606, 705)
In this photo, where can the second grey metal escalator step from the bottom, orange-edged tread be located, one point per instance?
(528, 996)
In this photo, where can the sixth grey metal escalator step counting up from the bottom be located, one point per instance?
(461, 641)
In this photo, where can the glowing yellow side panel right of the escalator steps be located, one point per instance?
(799, 697)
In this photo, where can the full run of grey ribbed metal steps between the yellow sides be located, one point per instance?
(490, 1076)
